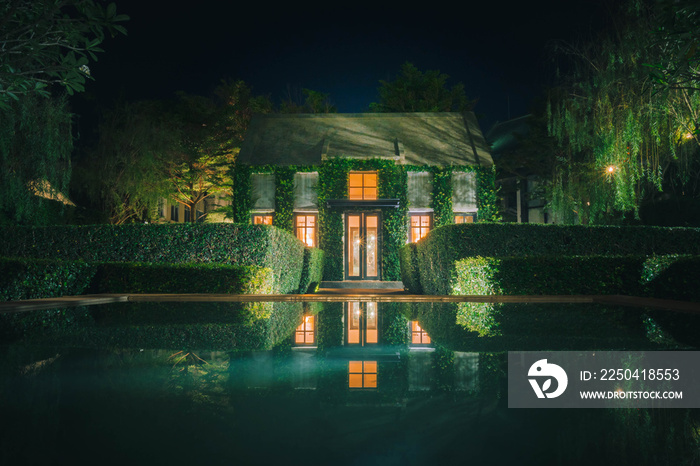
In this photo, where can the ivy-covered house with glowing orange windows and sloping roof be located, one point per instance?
(360, 186)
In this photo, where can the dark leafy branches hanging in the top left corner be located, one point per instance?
(48, 42)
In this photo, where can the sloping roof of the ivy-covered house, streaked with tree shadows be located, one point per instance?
(437, 139)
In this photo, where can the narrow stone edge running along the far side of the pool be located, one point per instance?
(362, 295)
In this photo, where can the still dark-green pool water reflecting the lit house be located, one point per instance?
(320, 383)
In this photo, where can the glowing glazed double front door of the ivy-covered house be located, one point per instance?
(362, 246)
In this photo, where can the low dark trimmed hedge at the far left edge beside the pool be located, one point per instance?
(36, 279)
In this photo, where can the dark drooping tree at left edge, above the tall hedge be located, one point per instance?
(35, 149)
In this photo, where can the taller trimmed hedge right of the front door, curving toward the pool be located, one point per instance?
(436, 256)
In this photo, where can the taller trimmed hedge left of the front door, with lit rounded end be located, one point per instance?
(232, 244)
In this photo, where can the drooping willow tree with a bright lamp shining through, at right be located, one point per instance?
(620, 141)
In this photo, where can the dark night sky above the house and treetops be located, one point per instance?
(497, 49)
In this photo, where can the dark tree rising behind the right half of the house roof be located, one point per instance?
(415, 91)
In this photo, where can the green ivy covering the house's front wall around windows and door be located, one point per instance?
(333, 184)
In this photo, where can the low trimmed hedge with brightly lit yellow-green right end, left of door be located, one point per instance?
(135, 277)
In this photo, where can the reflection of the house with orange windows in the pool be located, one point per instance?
(362, 358)
